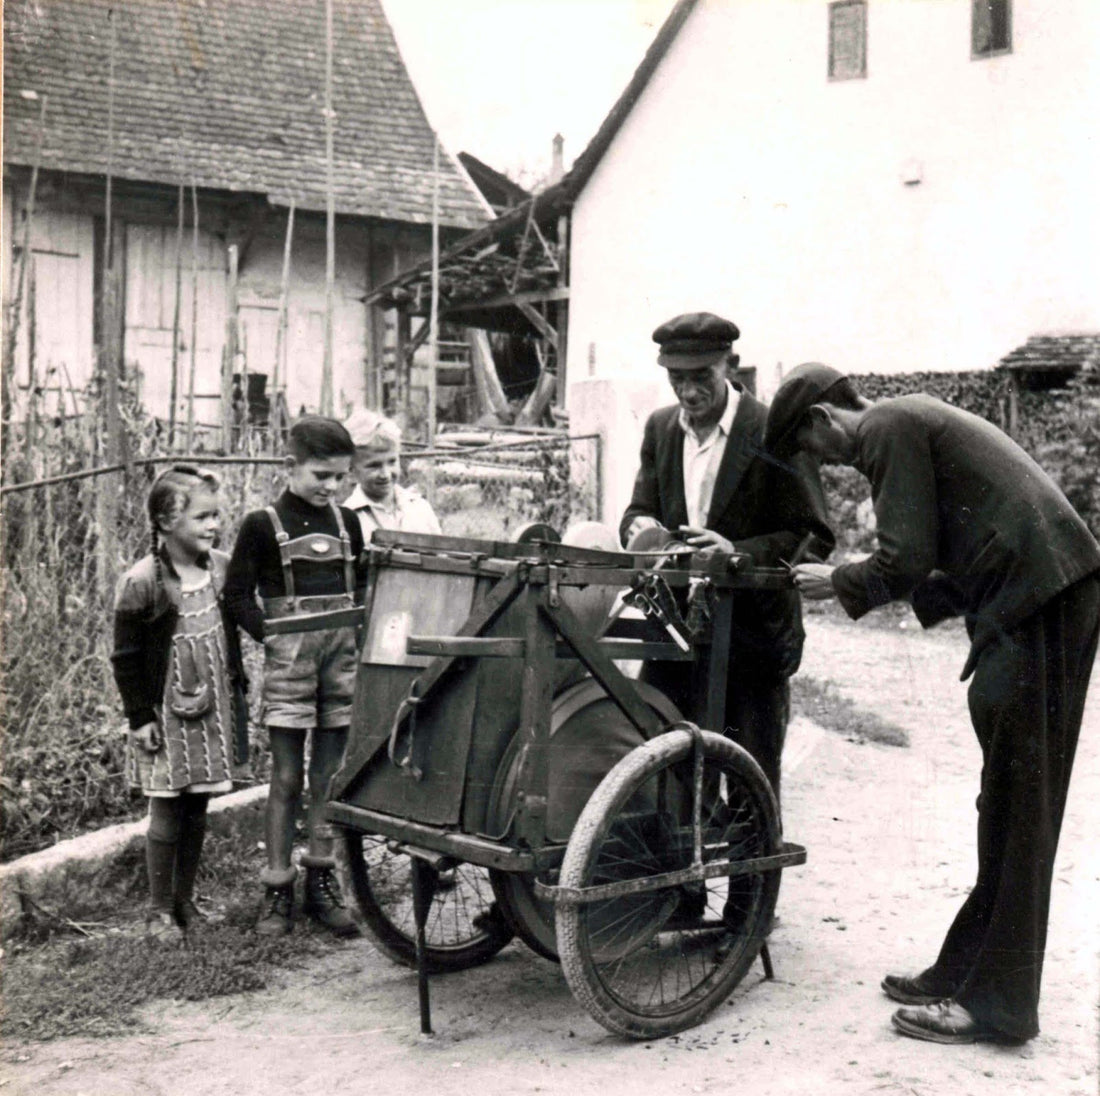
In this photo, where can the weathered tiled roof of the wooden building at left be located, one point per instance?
(229, 94)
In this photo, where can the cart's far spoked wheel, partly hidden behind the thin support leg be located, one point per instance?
(464, 929)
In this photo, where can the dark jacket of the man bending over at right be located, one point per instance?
(969, 524)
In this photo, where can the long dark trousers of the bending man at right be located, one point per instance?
(1027, 702)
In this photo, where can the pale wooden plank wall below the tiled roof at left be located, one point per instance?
(64, 248)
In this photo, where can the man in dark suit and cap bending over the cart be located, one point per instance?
(970, 525)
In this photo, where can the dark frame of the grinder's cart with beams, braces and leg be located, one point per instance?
(541, 579)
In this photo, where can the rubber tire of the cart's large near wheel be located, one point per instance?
(582, 971)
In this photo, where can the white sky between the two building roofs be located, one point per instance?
(499, 79)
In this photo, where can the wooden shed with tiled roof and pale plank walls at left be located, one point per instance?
(196, 130)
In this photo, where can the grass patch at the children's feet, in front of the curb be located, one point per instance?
(58, 984)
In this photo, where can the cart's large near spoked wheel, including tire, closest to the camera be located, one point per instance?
(652, 963)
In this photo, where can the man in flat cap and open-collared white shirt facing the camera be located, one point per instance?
(705, 478)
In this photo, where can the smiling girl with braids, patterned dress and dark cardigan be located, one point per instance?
(178, 665)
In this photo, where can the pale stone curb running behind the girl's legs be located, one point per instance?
(69, 872)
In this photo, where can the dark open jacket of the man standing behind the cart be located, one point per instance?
(767, 509)
